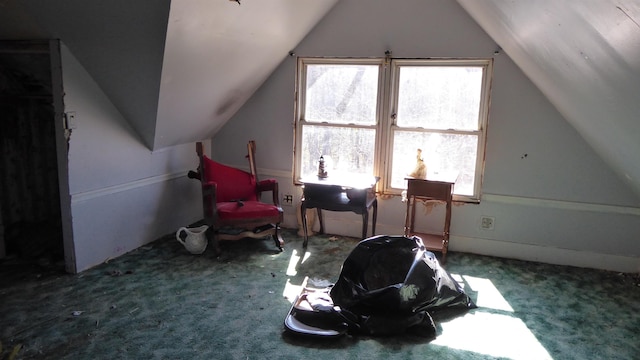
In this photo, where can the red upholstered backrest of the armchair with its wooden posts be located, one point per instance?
(232, 183)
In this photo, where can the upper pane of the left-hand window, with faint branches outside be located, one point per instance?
(341, 94)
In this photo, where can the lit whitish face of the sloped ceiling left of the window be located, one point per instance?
(217, 53)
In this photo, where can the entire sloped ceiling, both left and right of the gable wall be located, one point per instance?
(178, 70)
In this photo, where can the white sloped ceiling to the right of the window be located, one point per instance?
(584, 55)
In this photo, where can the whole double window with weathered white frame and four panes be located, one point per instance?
(369, 116)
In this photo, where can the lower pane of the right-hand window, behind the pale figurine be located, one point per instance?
(442, 153)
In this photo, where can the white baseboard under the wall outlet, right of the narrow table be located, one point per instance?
(545, 254)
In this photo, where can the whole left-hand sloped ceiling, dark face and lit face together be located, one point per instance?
(176, 70)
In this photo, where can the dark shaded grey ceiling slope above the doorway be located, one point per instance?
(119, 42)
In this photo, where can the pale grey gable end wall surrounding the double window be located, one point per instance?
(559, 204)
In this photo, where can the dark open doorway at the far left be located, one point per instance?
(31, 206)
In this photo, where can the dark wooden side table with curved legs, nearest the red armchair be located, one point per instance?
(347, 193)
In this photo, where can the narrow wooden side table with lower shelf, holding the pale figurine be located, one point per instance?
(441, 190)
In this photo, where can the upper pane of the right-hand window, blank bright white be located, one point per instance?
(439, 97)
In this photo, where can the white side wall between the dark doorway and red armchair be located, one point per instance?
(122, 194)
